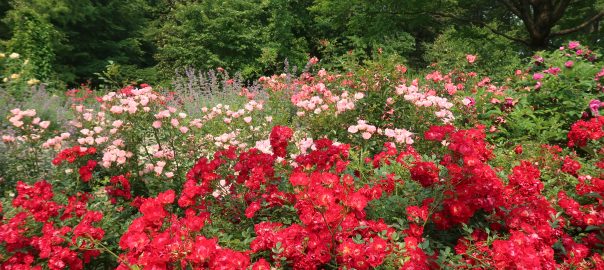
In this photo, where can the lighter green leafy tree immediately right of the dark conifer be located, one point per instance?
(190, 36)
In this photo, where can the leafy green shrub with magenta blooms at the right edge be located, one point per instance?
(547, 107)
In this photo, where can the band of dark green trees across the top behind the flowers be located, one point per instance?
(149, 39)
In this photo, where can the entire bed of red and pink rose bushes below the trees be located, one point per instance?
(371, 169)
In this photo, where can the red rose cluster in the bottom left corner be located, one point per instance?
(35, 239)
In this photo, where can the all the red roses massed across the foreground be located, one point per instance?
(329, 225)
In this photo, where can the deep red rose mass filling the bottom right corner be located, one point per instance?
(523, 219)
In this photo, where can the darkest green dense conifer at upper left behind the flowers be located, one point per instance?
(100, 31)
